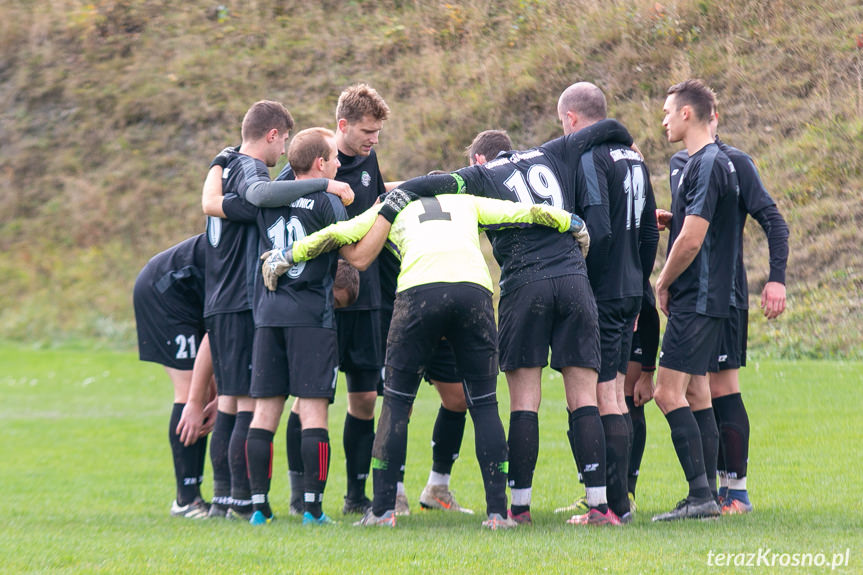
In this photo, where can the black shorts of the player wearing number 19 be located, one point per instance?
(559, 313)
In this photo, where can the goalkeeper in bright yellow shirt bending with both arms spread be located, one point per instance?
(444, 290)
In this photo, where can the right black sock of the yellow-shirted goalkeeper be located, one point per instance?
(491, 453)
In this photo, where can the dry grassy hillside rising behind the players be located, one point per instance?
(111, 110)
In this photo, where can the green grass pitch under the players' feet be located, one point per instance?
(87, 483)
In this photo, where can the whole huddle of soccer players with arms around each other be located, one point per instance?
(330, 268)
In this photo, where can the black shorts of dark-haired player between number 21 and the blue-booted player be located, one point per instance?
(231, 338)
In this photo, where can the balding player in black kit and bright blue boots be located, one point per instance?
(295, 348)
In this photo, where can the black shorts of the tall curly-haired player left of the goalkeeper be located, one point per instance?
(360, 343)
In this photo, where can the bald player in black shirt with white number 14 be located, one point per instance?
(616, 200)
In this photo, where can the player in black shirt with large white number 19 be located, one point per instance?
(545, 302)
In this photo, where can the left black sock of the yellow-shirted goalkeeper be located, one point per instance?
(389, 451)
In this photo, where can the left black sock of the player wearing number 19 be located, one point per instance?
(523, 441)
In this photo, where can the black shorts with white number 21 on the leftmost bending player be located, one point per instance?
(164, 338)
